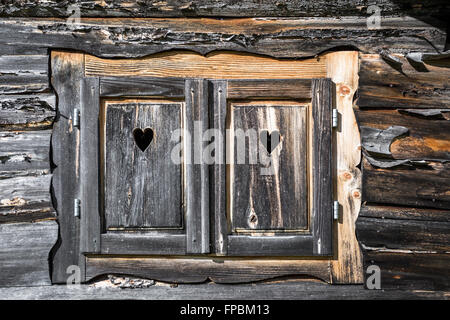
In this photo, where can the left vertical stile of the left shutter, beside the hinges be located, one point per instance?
(89, 166)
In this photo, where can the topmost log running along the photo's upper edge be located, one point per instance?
(222, 8)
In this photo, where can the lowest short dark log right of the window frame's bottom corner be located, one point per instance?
(418, 271)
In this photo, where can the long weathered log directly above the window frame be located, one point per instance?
(279, 38)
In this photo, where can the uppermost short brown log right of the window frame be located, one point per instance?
(384, 86)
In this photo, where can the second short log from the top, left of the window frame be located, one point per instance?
(27, 112)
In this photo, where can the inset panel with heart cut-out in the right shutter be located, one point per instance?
(269, 184)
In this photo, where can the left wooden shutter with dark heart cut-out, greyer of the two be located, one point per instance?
(135, 199)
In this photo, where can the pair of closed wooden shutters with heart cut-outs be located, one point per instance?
(195, 166)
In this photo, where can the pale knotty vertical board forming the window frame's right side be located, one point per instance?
(347, 267)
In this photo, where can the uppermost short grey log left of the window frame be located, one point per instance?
(23, 74)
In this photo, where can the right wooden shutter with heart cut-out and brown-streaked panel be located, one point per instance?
(287, 212)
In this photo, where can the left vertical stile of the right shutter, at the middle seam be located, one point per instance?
(218, 195)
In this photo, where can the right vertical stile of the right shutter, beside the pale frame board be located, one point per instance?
(322, 103)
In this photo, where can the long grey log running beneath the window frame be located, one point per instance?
(286, 290)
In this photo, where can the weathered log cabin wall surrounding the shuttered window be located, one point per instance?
(401, 108)
